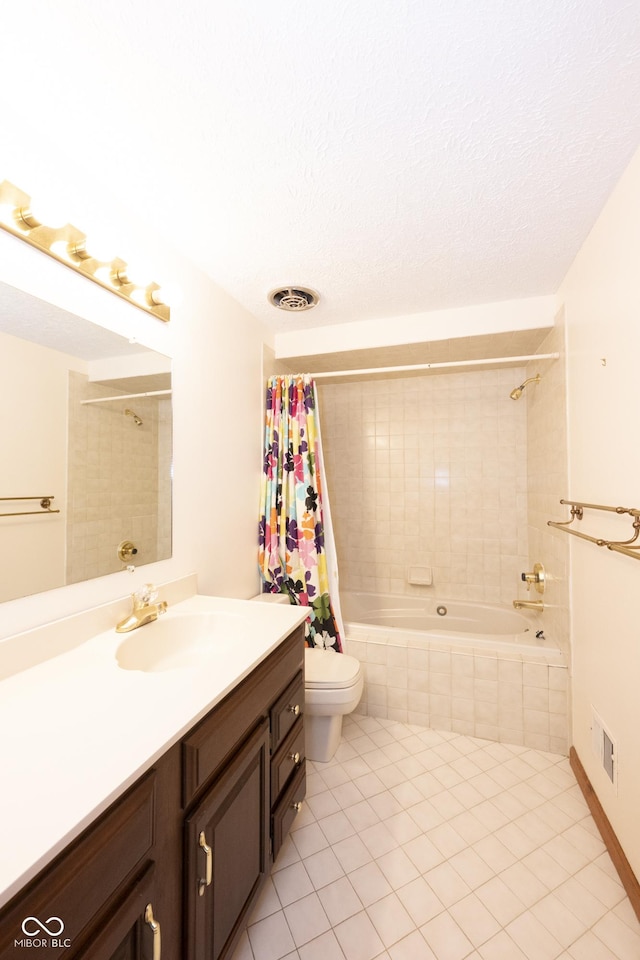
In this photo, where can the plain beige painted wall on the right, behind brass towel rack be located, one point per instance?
(601, 298)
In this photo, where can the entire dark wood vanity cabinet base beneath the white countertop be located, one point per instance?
(172, 869)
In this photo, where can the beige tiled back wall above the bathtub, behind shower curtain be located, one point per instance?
(429, 471)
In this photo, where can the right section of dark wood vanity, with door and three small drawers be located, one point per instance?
(237, 777)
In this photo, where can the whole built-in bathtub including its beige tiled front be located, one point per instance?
(479, 669)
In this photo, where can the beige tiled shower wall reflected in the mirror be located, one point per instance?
(119, 480)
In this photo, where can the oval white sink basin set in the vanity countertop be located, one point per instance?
(180, 641)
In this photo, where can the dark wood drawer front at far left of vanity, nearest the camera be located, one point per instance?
(82, 882)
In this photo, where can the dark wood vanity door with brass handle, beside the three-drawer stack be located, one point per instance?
(227, 851)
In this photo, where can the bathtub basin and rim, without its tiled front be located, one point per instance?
(472, 626)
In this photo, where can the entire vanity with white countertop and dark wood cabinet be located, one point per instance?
(201, 756)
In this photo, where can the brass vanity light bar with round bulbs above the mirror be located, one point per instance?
(70, 246)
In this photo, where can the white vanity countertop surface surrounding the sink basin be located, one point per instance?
(77, 730)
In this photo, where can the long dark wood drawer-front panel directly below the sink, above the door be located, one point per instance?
(207, 748)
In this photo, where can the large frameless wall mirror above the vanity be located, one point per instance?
(86, 421)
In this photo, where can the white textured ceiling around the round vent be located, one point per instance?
(398, 157)
